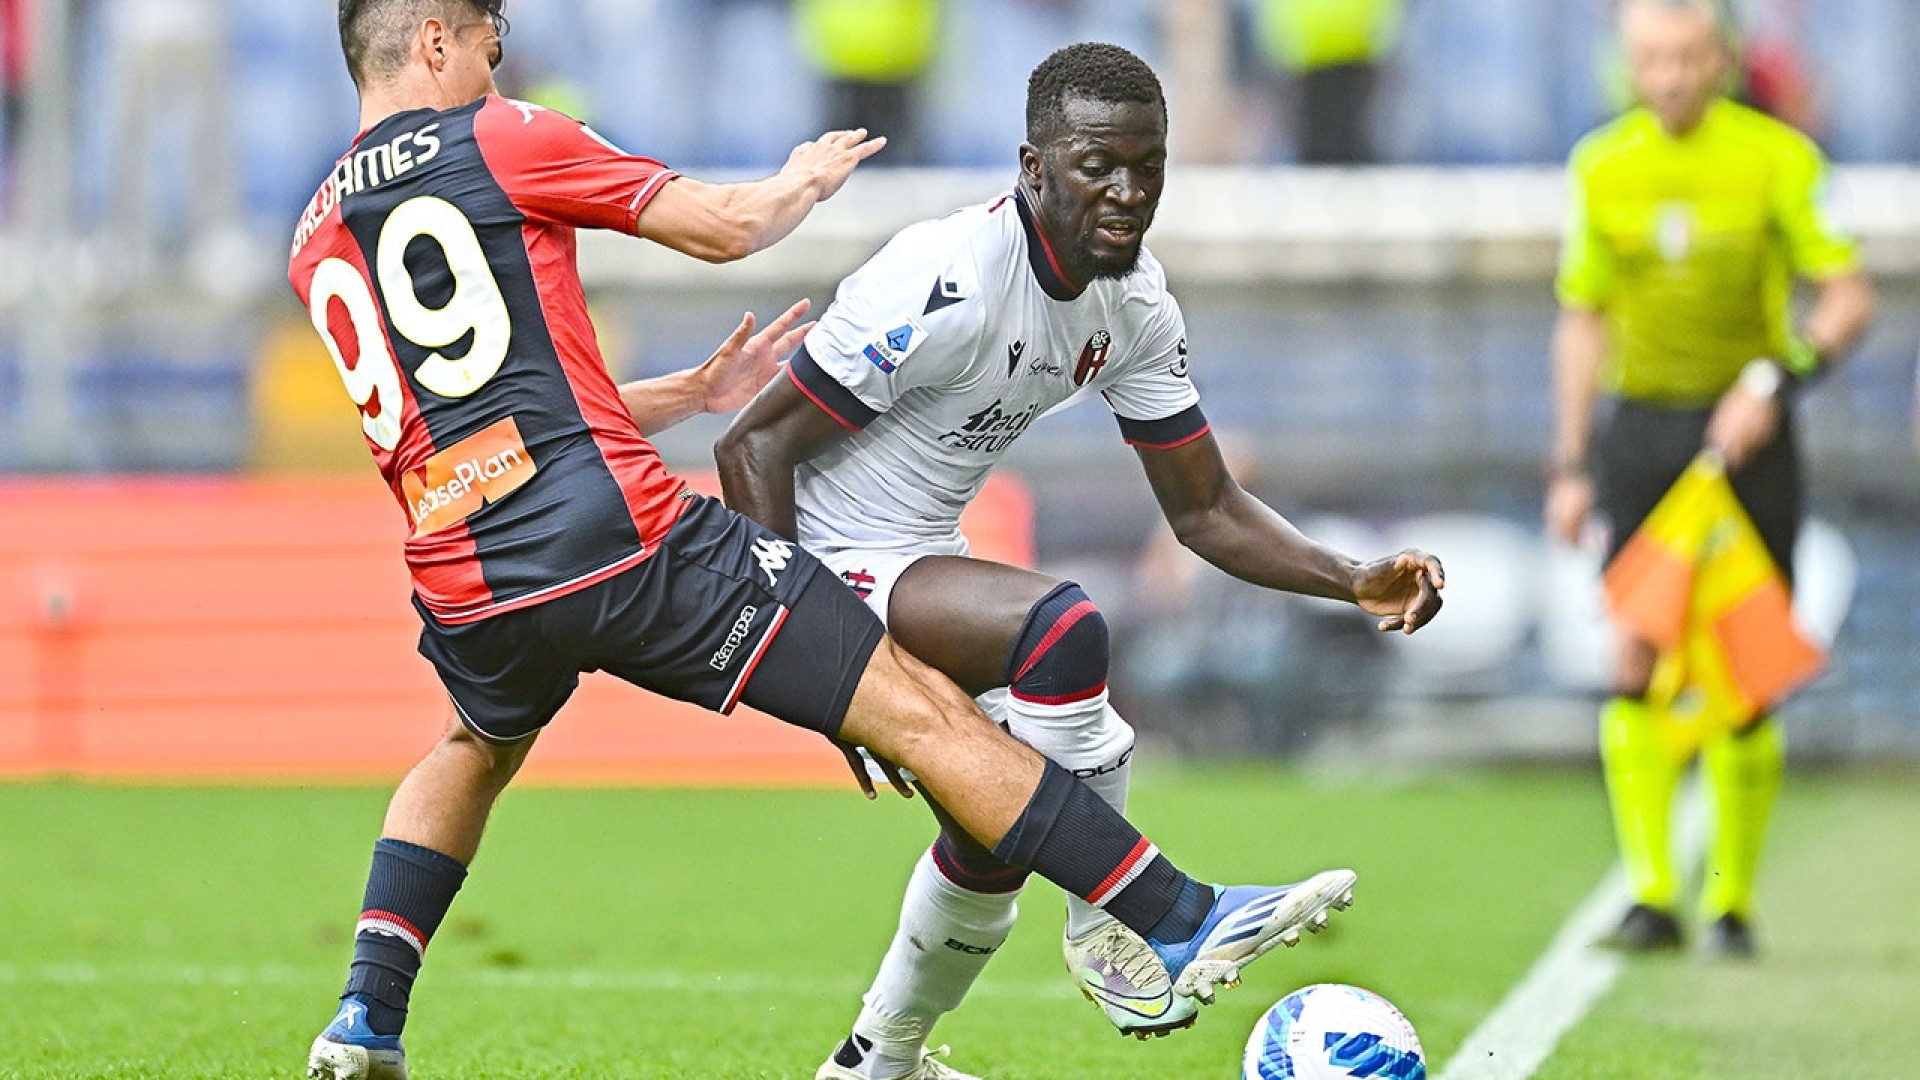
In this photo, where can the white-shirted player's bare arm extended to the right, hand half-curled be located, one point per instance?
(1226, 526)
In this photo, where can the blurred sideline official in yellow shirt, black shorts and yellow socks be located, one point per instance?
(1691, 218)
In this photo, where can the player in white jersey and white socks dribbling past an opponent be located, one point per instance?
(928, 366)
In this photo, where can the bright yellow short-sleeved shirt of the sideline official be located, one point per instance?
(1691, 247)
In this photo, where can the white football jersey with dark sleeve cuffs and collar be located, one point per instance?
(946, 347)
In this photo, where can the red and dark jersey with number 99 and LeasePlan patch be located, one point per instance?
(439, 268)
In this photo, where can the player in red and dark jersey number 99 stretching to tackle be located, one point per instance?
(546, 537)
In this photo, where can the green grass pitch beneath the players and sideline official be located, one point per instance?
(164, 931)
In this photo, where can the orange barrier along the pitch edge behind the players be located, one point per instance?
(262, 629)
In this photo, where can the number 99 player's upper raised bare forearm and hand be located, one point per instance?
(721, 224)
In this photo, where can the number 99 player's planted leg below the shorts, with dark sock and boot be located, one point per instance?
(431, 835)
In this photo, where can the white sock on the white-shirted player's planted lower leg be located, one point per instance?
(948, 935)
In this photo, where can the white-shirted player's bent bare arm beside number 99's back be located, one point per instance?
(759, 451)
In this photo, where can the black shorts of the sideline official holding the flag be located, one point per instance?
(1643, 449)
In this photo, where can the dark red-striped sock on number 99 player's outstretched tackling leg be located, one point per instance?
(1070, 837)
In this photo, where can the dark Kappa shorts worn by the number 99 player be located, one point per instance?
(725, 612)
